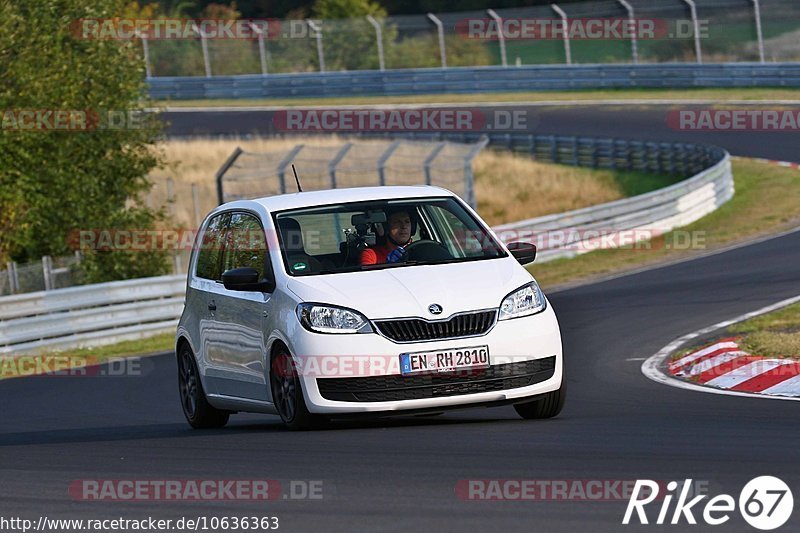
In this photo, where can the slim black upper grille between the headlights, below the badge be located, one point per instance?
(418, 329)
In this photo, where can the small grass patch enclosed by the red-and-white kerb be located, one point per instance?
(775, 334)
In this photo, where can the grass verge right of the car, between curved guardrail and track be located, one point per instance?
(767, 200)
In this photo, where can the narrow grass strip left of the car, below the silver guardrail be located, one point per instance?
(64, 361)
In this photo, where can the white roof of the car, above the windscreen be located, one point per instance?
(336, 196)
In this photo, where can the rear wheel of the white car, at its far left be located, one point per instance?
(198, 412)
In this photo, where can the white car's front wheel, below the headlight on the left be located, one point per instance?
(287, 394)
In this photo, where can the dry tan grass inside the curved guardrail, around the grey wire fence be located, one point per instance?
(509, 187)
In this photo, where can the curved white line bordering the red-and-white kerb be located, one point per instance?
(652, 367)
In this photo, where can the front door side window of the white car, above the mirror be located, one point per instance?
(245, 244)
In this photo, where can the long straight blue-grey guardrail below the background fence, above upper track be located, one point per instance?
(477, 79)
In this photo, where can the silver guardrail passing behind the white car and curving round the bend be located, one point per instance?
(112, 312)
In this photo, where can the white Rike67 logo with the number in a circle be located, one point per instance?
(765, 503)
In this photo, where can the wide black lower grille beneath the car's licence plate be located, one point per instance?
(398, 387)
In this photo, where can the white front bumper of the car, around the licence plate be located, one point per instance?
(527, 346)
